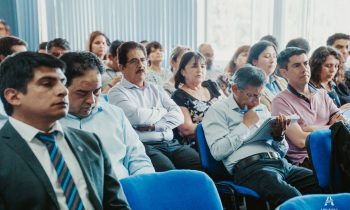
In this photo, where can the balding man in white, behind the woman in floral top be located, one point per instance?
(213, 70)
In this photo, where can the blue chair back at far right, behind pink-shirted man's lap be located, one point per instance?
(319, 146)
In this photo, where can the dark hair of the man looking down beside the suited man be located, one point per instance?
(78, 63)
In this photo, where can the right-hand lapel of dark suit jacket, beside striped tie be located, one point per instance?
(80, 152)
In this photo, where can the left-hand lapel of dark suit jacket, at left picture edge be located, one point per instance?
(12, 138)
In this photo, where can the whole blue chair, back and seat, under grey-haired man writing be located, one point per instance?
(217, 171)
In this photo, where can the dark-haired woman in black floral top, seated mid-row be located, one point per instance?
(194, 96)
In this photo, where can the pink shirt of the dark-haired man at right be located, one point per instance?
(315, 111)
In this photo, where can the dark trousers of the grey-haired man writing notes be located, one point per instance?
(276, 180)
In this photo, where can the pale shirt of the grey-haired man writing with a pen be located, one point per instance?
(226, 133)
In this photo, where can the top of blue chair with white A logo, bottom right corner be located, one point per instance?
(317, 201)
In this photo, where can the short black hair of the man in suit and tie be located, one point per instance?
(18, 70)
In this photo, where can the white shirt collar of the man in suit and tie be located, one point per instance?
(28, 132)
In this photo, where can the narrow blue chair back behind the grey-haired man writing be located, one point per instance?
(214, 168)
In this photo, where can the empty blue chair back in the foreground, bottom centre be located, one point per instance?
(171, 190)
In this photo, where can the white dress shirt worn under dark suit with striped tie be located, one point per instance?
(39, 149)
